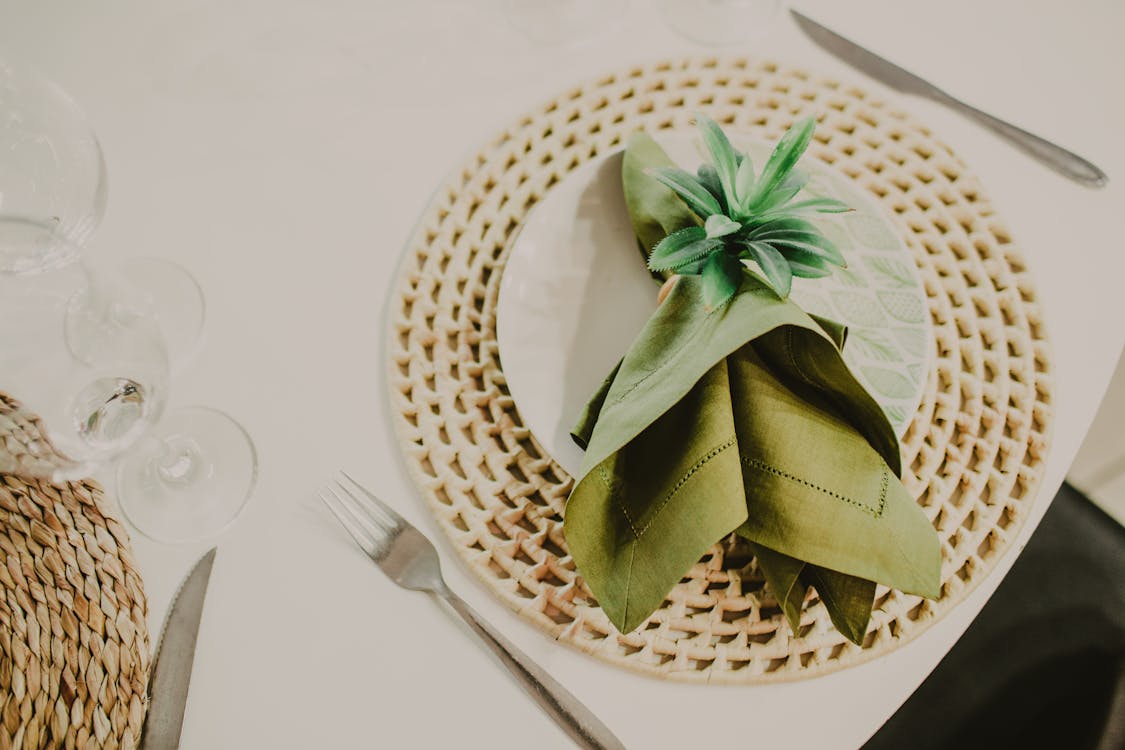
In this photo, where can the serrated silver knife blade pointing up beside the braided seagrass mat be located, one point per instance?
(172, 672)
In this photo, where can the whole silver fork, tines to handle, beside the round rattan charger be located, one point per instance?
(410, 561)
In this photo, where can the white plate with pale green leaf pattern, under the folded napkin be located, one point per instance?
(575, 294)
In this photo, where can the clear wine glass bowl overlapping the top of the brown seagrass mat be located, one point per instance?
(88, 365)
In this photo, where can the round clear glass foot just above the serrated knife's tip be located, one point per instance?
(191, 480)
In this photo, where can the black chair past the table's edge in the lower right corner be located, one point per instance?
(1043, 665)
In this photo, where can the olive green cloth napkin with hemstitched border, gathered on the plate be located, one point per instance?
(743, 419)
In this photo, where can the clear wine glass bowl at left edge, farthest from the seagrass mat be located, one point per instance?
(52, 174)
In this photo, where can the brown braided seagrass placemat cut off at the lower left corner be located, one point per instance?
(74, 635)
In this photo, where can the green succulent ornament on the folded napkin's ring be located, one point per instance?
(748, 218)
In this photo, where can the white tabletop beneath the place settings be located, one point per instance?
(283, 150)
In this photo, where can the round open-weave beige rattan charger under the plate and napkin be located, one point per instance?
(974, 455)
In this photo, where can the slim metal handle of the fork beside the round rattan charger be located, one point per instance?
(583, 727)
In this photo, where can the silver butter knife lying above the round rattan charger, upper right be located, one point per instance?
(1063, 161)
